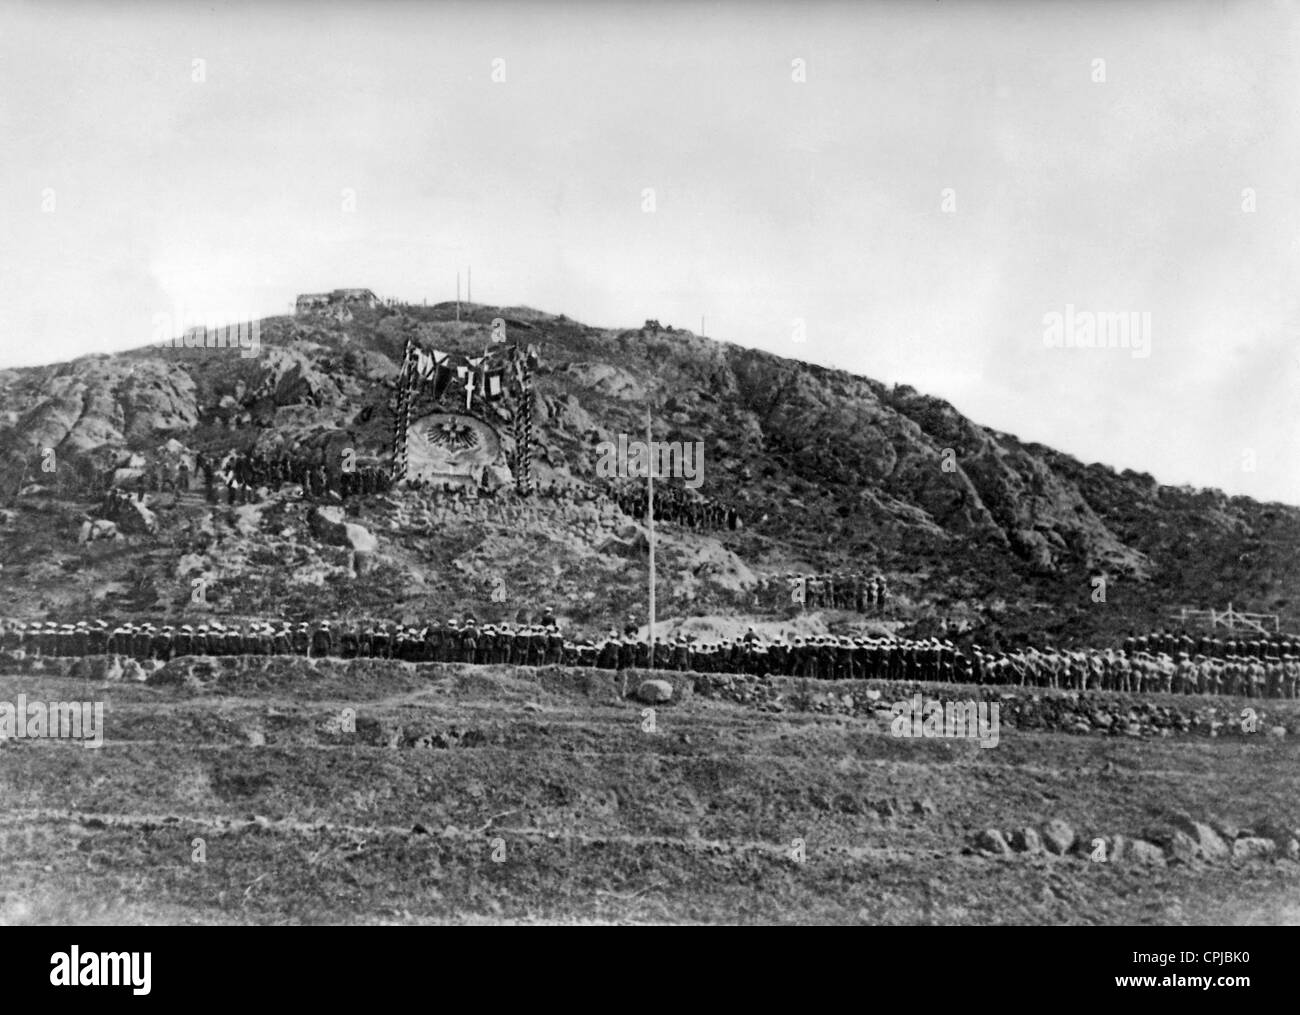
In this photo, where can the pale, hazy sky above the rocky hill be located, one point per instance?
(905, 190)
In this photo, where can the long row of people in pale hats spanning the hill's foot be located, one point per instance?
(824, 657)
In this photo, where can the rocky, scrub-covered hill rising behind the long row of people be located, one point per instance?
(1003, 539)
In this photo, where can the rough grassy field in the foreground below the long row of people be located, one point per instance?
(512, 795)
